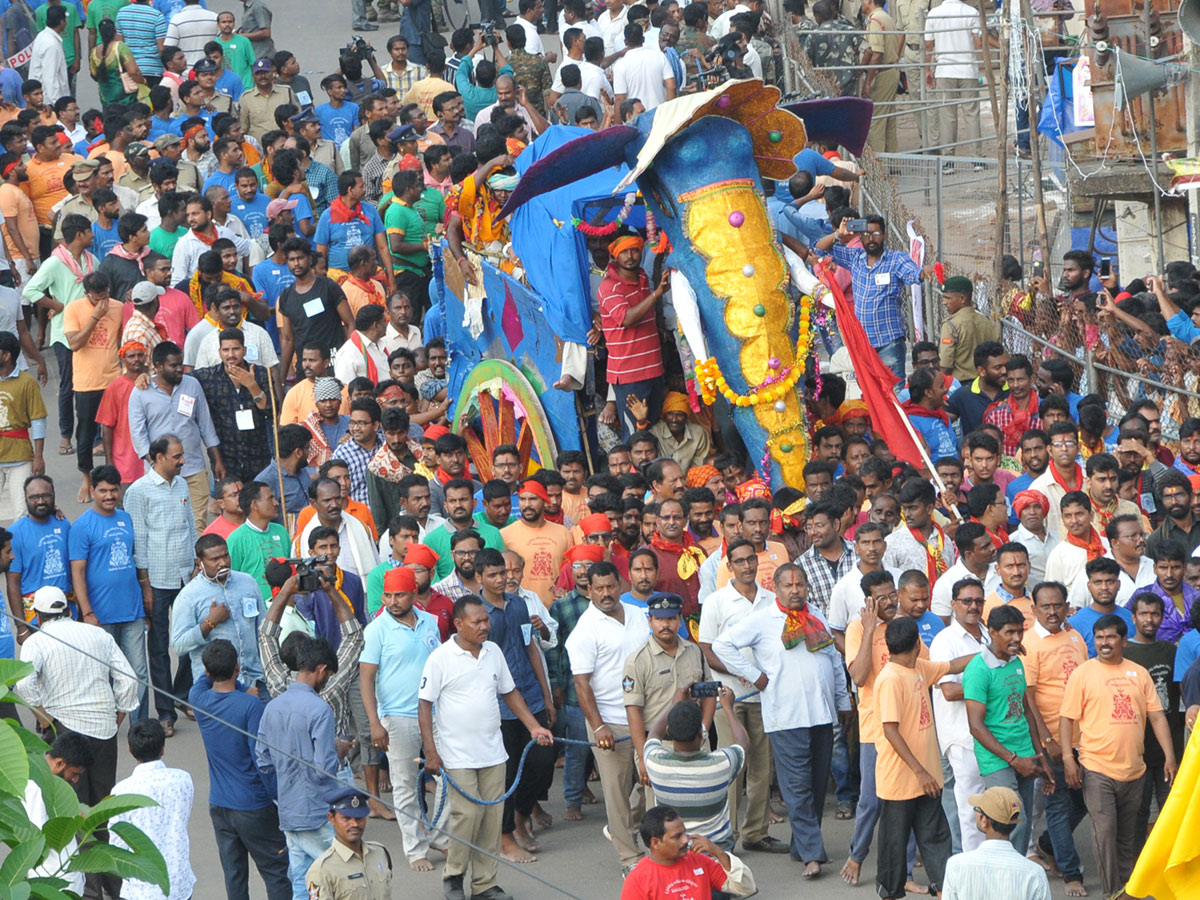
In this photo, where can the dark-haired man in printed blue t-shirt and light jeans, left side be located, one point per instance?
(107, 590)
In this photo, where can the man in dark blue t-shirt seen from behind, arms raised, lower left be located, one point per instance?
(241, 805)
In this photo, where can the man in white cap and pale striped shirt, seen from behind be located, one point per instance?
(82, 683)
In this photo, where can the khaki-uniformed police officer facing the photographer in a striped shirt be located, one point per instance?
(661, 668)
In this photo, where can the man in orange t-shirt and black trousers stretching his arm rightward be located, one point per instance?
(909, 765)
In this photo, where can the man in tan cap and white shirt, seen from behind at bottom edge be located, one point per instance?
(995, 871)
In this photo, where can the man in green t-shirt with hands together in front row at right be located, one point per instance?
(1007, 729)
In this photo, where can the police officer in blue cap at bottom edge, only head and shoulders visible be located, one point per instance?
(352, 869)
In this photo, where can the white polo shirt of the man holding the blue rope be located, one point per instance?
(463, 689)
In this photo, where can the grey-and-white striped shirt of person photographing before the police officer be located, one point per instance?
(698, 785)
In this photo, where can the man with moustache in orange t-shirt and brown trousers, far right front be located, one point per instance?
(1111, 699)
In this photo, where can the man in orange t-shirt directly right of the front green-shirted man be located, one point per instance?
(1052, 655)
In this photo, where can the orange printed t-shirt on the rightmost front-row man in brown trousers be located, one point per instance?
(1111, 705)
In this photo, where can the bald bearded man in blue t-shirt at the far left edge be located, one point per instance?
(40, 554)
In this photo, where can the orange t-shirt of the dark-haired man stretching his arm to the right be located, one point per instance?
(903, 698)
